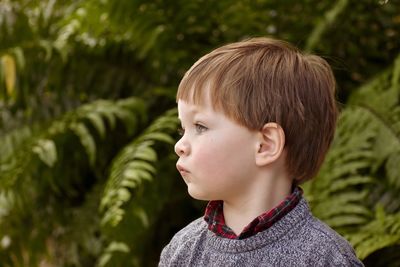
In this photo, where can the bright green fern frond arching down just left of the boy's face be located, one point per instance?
(130, 169)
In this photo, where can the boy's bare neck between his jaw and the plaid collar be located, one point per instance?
(262, 197)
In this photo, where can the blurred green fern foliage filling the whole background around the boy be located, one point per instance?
(87, 121)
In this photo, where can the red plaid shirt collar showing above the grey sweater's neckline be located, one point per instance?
(214, 216)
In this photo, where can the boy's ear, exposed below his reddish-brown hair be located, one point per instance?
(270, 144)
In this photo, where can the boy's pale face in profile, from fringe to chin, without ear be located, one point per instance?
(216, 154)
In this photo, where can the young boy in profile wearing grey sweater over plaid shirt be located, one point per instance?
(257, 117)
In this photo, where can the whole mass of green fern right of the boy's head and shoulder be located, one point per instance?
(361, 172)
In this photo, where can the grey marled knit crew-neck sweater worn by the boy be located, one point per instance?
(298, 239)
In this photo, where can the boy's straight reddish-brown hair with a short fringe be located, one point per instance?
(263, 80)
